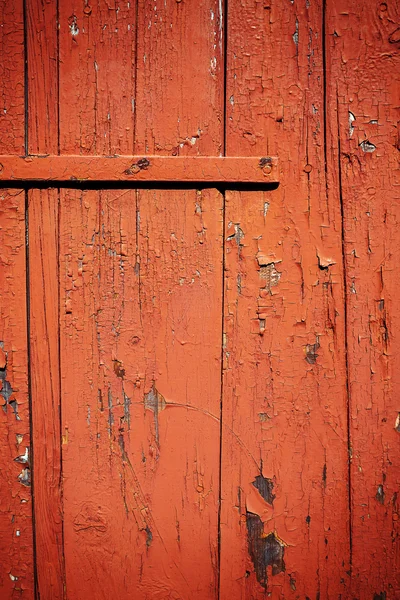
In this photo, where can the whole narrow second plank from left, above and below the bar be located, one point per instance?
(42, 52)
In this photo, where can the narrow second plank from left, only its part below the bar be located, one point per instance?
(45, 390)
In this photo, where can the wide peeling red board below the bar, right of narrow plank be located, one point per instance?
(141, 312)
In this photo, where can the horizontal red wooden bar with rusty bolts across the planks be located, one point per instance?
(139, 168)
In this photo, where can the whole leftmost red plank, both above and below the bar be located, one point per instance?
(16, 541)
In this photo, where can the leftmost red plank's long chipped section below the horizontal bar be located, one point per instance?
(16, 545)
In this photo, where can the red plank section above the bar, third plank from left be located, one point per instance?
(97, 79)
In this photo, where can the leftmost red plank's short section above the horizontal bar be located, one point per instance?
(12, 89)
